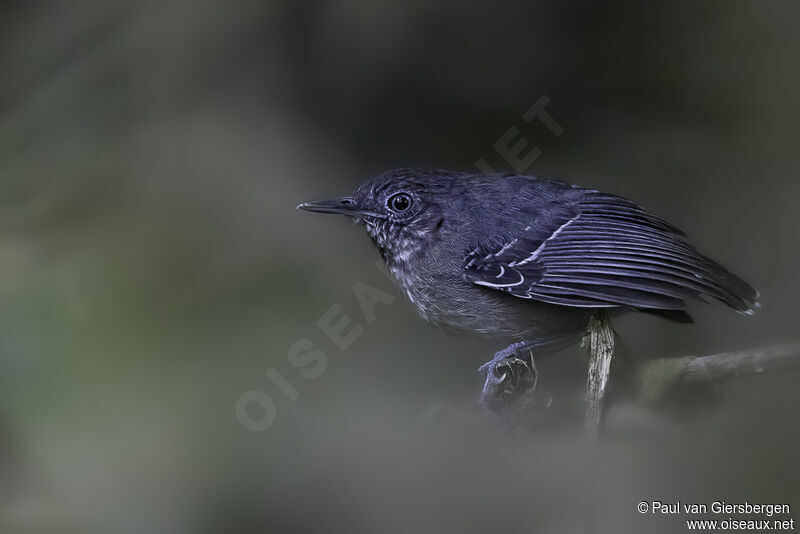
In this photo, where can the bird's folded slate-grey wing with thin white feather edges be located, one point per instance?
(604, 251)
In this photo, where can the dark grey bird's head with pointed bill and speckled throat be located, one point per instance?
(402, 210)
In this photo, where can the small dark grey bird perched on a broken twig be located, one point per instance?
(528, 259)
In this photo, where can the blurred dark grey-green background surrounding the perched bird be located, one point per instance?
(154, 267)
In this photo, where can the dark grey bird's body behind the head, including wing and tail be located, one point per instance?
(519, 256)
